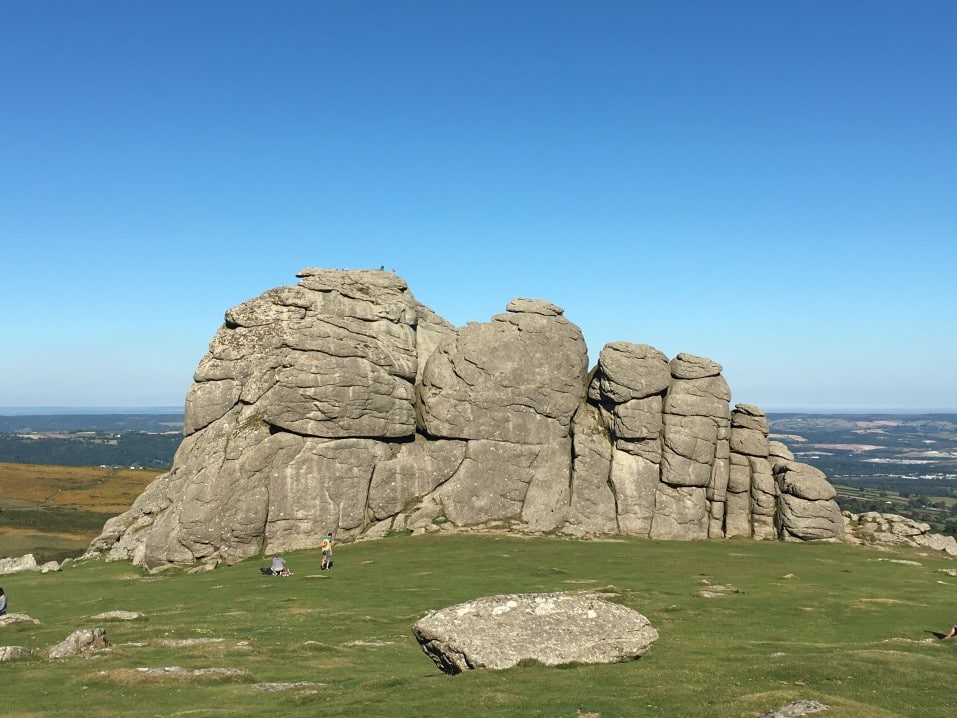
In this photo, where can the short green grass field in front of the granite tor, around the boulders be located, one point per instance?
(842, 625)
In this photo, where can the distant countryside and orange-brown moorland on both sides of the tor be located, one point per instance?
(63, 476)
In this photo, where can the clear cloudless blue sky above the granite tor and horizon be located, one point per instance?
(768, 183)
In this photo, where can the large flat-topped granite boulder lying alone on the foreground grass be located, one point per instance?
(552, 628)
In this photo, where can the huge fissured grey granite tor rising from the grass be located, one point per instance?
(343, 404)
